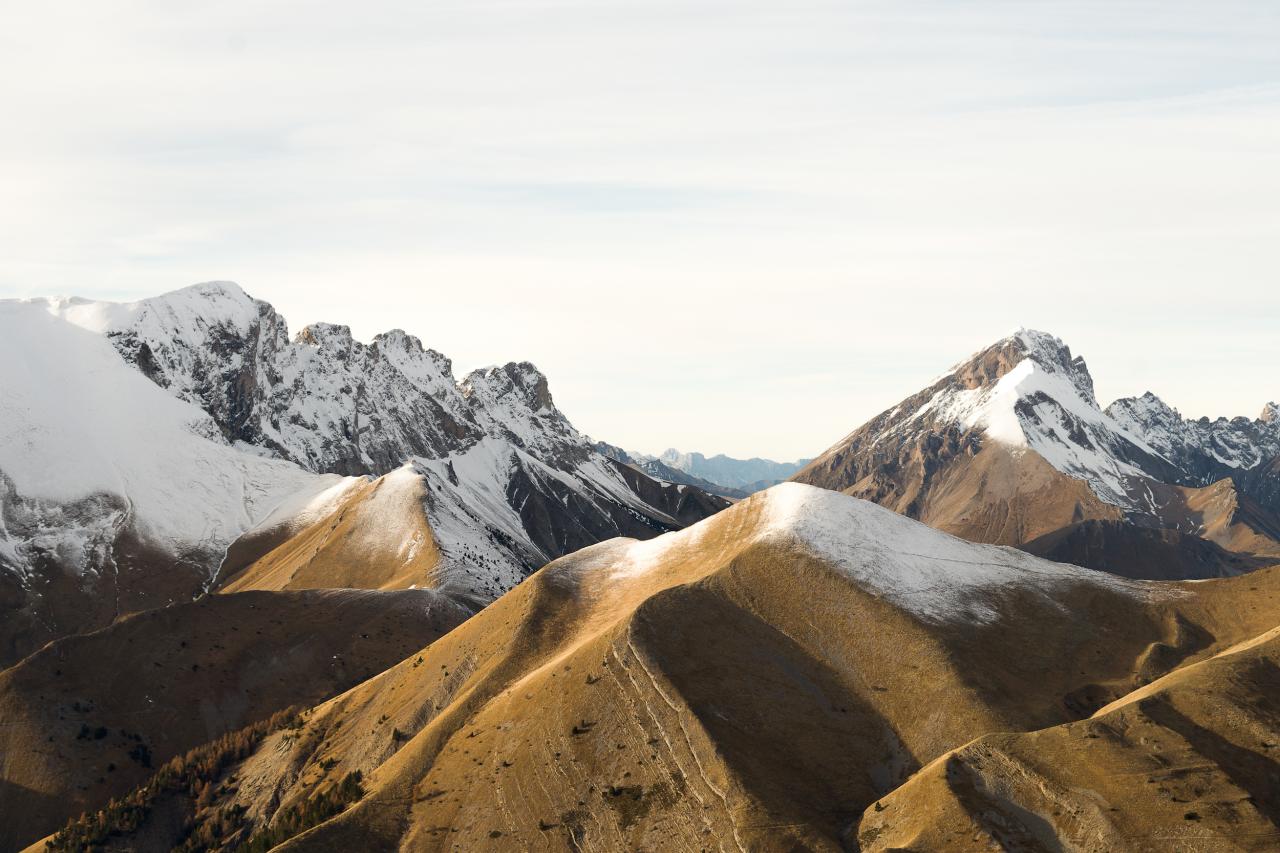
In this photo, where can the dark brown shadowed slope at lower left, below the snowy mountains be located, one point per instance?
(89, 718)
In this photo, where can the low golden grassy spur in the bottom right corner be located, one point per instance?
(1191, 763)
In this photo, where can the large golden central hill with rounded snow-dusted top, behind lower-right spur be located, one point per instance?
(728, 687)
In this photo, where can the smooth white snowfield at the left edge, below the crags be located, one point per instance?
(81, 426)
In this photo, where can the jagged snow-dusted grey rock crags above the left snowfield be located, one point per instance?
(326, 400)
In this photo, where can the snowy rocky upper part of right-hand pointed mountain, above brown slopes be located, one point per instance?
(1031, 391)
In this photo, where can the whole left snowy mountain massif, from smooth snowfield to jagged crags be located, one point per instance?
(143, 440)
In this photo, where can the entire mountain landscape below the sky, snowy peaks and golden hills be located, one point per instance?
(263, 592)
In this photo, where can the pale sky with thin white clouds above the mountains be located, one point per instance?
(734, 227)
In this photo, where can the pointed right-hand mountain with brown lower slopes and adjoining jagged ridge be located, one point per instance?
(1012, 446)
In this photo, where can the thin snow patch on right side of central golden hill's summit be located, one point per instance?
(922, 571)
